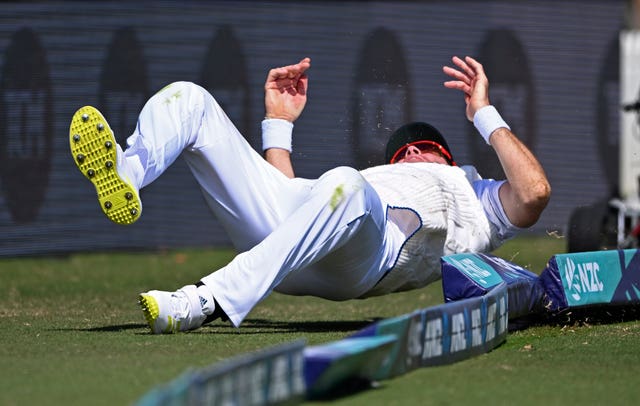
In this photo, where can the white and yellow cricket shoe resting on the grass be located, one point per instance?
(171, 312)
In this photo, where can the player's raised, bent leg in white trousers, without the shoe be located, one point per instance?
(247, 195)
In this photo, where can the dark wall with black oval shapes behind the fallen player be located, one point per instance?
(553, 68)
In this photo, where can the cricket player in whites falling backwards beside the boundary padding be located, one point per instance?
(345, 235)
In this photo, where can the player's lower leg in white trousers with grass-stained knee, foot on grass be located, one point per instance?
(334, 245)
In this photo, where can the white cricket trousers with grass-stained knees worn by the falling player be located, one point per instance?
(326, 237)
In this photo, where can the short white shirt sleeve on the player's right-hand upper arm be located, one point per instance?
(487, 191)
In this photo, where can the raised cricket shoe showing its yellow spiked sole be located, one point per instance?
(99, 158)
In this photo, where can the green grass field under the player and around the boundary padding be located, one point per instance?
(72, 334)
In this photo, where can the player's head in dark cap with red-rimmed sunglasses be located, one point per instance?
(418, 142)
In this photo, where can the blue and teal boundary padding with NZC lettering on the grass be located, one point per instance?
(483, 293)
